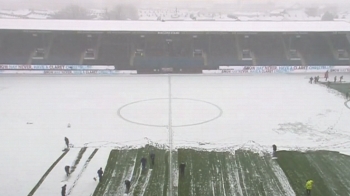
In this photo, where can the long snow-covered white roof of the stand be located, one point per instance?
(174, 26)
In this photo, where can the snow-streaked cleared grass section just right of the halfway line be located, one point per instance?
(224, 173)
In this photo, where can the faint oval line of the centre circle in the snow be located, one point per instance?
(216, 107)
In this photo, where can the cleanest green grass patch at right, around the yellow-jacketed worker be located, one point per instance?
(329, 170)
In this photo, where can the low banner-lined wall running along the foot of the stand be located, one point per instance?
(110, 70)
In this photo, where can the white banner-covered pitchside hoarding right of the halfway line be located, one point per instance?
(277, 69)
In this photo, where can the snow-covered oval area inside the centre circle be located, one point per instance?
(155, 112)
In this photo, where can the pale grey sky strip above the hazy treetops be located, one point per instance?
(57, 4)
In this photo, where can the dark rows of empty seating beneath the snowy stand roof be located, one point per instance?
(189, 50)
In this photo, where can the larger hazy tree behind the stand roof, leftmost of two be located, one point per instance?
(73, 12)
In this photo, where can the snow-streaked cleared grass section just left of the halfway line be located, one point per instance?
(125, 164)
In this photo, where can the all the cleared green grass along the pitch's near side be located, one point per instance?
(237, 173)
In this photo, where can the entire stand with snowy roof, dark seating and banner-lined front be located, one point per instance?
(114, 47)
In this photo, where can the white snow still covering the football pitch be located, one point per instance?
(211, 112)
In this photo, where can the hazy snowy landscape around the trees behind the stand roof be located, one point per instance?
(212, 11)
